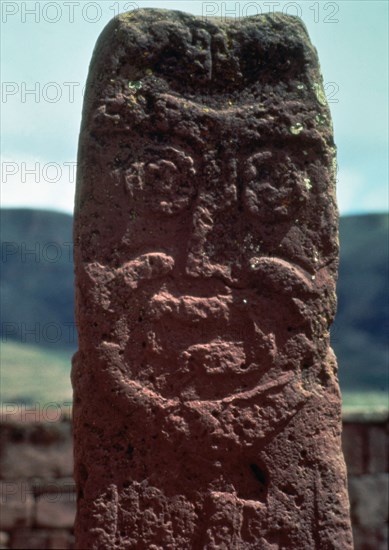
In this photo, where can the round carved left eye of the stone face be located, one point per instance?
(165, 182)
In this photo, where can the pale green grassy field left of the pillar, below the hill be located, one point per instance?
(30, 374)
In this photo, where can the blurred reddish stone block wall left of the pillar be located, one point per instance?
(37, 490)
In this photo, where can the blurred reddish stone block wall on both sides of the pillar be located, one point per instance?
(38, 499)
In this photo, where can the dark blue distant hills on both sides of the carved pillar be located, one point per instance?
(37, 290)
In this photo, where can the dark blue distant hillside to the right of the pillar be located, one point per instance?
(361, 328)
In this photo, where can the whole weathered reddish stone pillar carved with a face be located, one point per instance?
(207, 408)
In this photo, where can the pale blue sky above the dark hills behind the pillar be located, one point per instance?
(46, 48)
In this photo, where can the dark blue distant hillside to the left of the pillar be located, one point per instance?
(37, 301)
